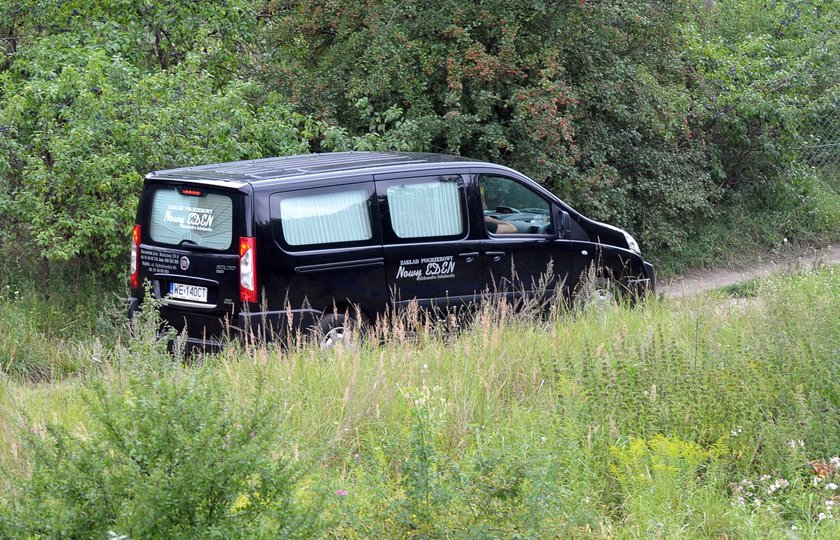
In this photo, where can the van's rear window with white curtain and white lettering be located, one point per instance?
(183, 217)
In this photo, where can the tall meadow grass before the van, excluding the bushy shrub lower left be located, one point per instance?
(646, 422)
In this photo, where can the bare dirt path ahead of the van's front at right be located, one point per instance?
(700, 281)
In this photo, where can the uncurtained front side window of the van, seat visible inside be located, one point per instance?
(513, 208)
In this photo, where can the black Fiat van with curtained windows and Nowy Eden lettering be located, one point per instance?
(271, 245)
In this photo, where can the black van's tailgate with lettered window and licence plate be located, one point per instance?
(189, 252)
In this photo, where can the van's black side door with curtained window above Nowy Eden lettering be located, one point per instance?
(431, 254)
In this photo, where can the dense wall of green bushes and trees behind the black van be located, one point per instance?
(656, 116)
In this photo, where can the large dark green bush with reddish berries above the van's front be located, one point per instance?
(590, 99)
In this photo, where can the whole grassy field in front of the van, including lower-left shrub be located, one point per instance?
(711, 417)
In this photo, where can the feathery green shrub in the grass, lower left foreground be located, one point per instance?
(162, 457)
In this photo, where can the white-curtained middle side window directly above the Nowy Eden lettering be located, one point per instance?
(426, 209)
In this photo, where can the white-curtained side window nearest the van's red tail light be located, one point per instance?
(326, 219)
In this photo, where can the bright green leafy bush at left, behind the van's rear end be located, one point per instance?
(81, 127)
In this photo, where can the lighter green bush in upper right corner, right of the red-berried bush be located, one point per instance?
(764, 69)
